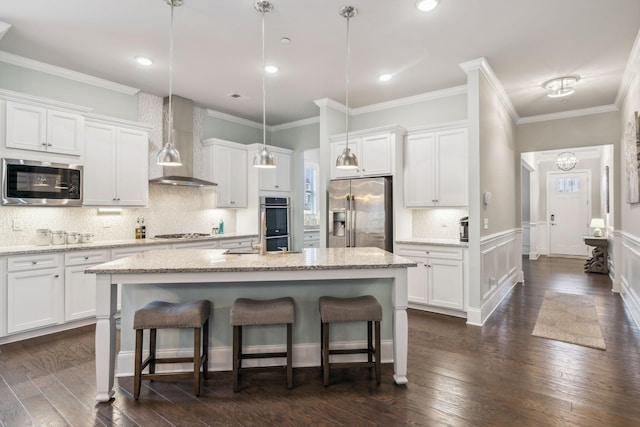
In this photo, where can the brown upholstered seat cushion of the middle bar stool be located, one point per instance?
(245, 311)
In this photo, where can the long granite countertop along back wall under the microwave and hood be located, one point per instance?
(111, 244)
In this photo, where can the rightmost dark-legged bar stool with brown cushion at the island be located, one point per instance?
(358, 309)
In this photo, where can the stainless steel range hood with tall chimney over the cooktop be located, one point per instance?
(183, 135)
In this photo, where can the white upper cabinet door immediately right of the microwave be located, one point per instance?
(99, 165)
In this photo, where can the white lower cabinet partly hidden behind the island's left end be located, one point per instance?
(80, 288)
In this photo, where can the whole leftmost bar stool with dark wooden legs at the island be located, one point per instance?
(163, 315)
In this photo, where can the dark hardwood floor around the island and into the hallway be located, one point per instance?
(459, 375)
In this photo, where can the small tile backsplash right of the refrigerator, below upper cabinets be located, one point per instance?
(437, 223)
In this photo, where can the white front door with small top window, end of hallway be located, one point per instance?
(568, 211)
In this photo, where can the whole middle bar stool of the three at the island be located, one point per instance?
(247, 312)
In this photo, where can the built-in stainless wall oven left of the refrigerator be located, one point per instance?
(277, 226)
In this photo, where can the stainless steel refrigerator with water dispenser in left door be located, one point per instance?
(360, 213)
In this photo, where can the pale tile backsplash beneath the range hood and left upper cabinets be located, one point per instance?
(170, 210)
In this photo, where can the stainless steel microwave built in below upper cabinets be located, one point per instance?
(32, 183)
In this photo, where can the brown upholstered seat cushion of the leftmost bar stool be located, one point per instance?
(161, 314)
